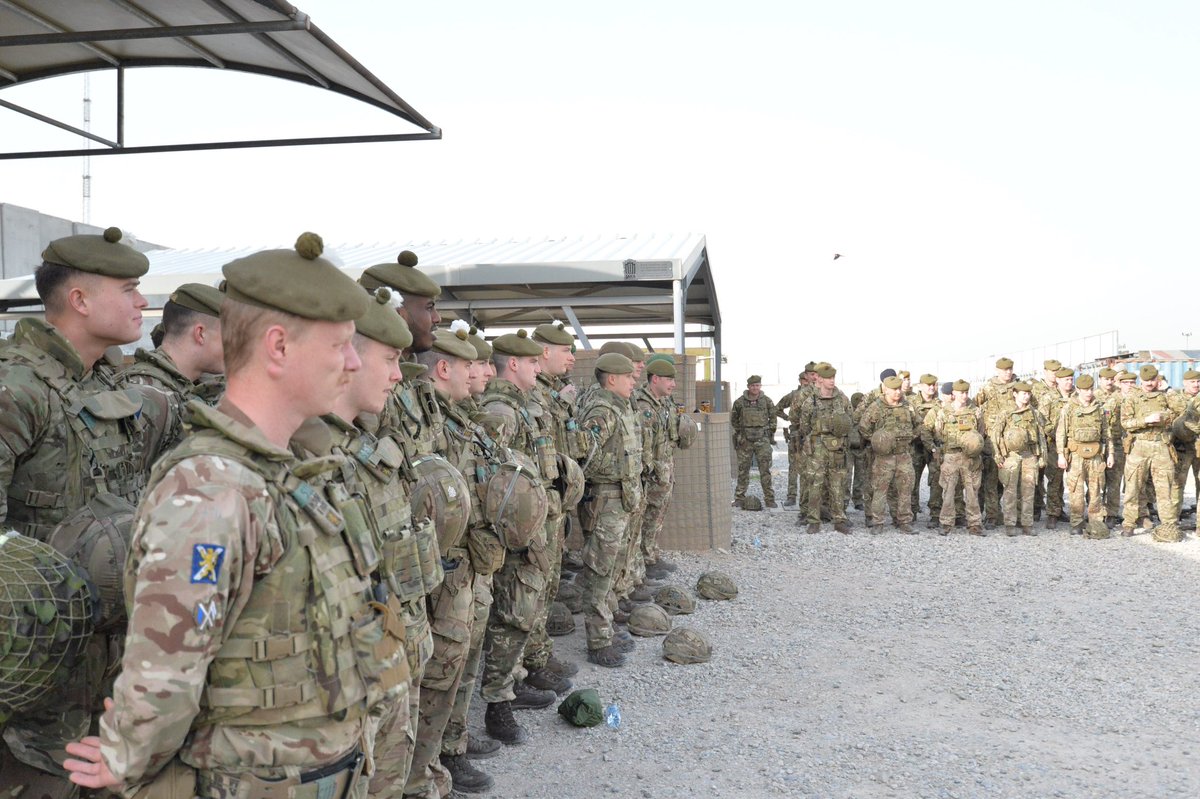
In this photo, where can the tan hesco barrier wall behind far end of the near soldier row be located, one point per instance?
(700, 516)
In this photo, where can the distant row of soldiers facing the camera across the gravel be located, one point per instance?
(1003, 456)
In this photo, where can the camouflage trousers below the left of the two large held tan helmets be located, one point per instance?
(452, 618)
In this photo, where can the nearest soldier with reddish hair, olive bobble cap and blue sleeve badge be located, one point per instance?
(255, 648)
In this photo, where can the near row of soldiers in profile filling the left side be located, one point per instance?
(341, 518)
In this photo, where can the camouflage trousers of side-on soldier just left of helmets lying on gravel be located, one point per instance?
(609, 536)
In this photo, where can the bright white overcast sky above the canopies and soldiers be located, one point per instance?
(999, 177)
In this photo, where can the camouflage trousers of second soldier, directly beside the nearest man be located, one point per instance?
(395, 728)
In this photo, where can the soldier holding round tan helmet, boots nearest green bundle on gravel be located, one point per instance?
(519, 585)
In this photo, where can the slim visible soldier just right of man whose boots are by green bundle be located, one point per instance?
(555, 400)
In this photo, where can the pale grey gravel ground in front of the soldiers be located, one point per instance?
(899, 666)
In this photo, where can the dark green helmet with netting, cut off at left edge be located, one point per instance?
(47, 614)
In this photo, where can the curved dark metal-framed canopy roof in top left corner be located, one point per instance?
(45, 39)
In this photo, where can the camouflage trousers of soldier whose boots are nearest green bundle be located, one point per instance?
(517, 591)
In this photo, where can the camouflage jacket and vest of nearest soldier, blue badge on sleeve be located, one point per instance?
(251, 605)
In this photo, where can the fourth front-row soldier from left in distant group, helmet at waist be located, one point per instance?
(949, 432)
